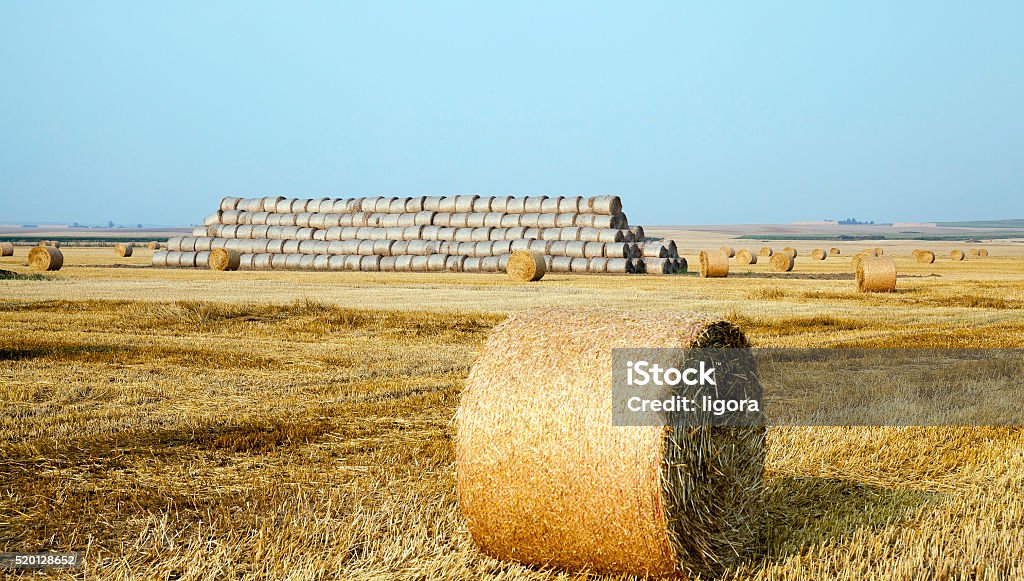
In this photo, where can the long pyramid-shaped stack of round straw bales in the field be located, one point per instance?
(462, 234)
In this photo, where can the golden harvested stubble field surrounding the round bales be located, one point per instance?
(201, 425)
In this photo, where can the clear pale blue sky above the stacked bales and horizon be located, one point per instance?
(695, 113)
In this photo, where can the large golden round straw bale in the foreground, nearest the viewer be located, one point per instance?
(544, 478)
